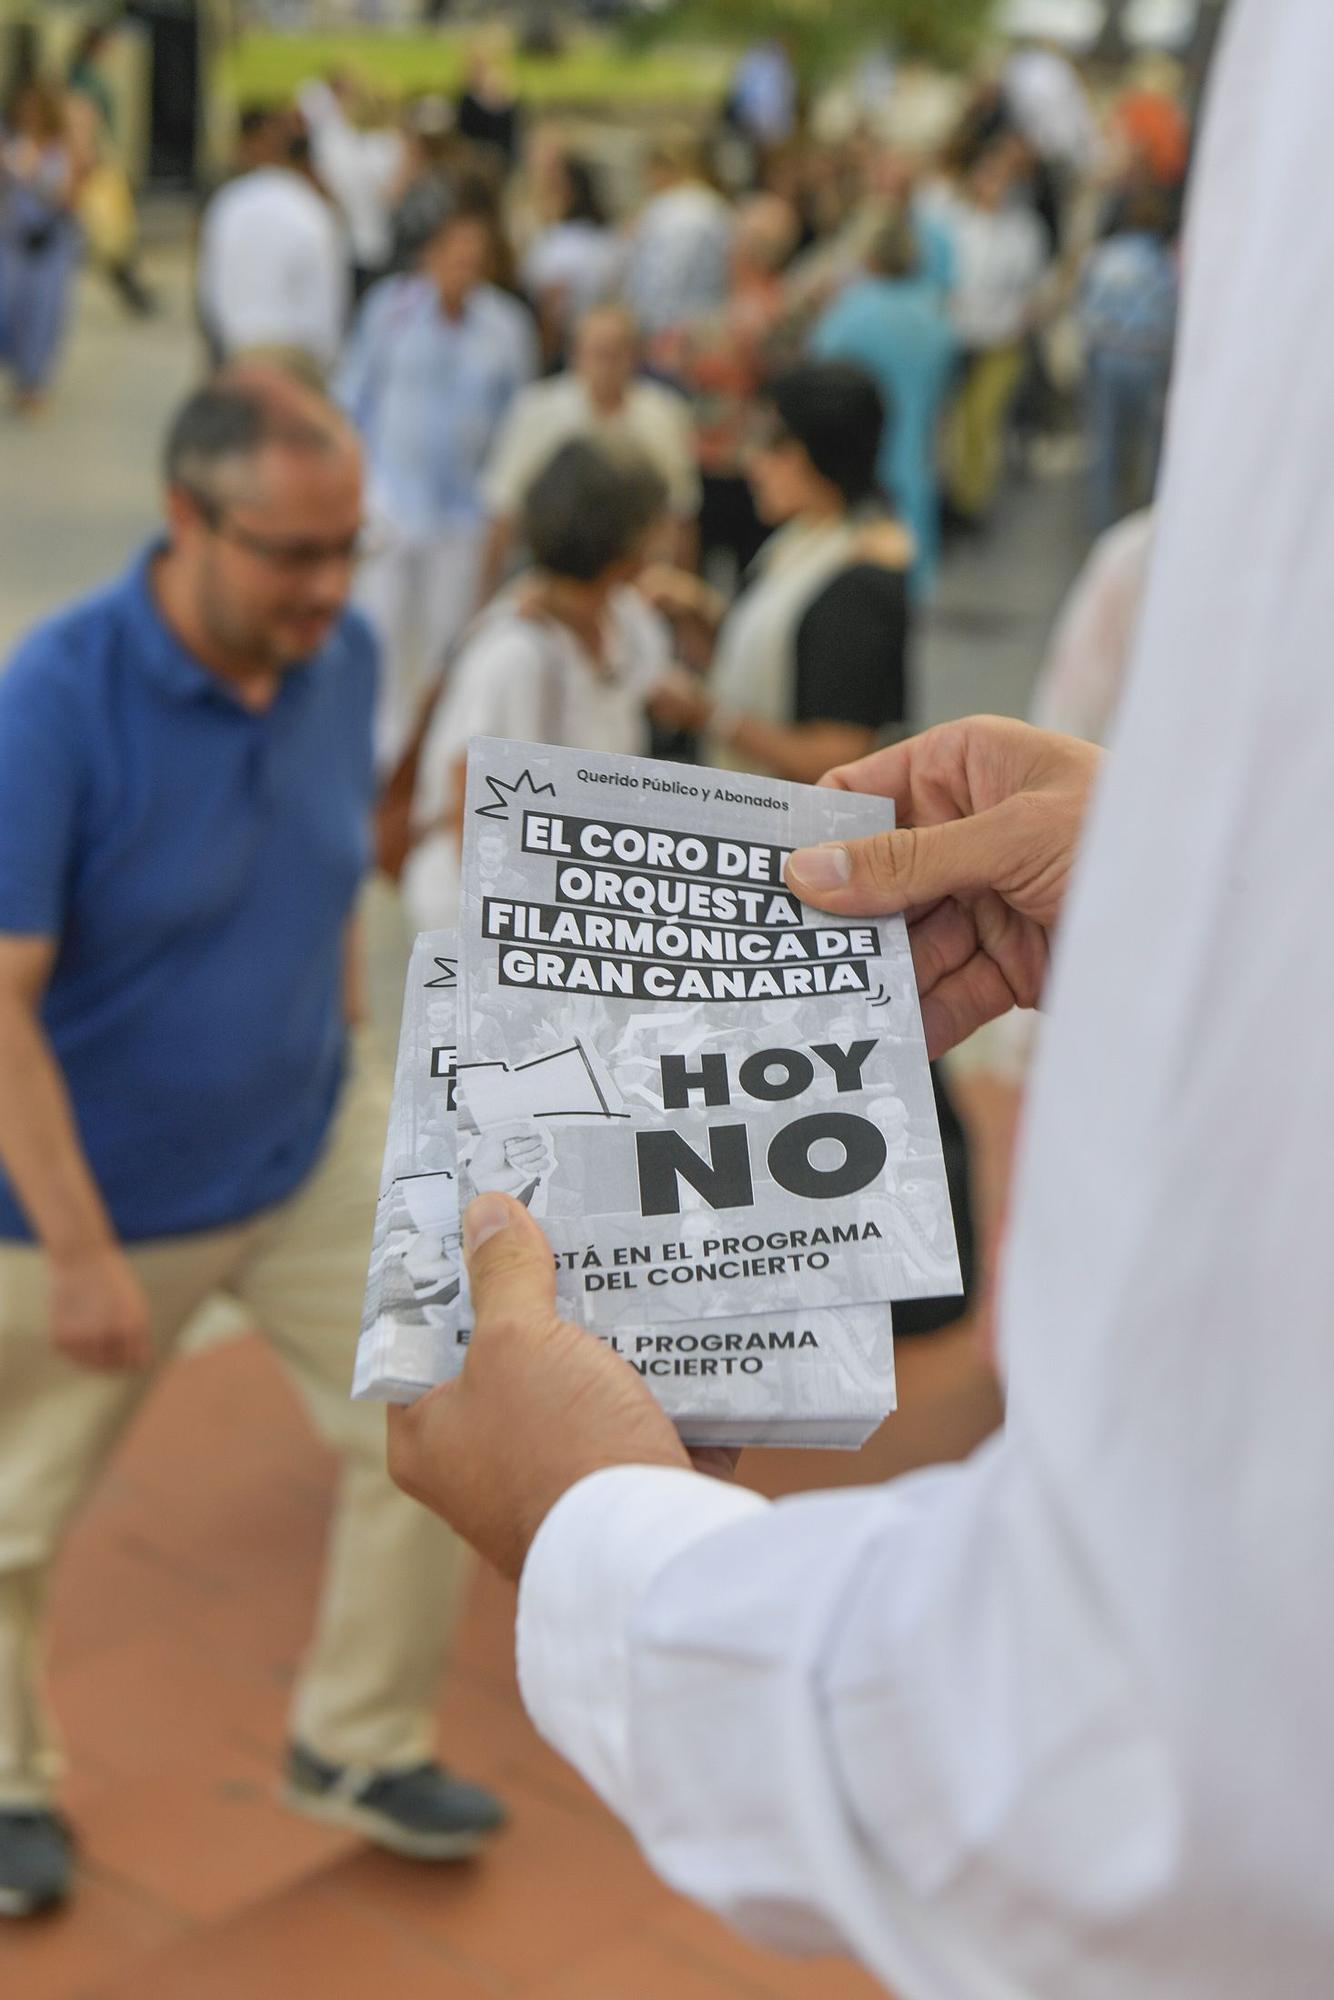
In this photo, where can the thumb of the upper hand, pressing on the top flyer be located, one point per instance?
(917, 865)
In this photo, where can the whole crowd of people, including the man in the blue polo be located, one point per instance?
(641, 447)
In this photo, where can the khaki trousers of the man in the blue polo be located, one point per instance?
(393, 1573)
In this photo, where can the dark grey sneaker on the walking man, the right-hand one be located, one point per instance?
(421, 1813)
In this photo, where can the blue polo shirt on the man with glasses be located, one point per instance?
(197, 865)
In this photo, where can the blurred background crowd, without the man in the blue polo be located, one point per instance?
(825, 355)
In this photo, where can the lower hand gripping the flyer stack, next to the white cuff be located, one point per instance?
(539, 1403)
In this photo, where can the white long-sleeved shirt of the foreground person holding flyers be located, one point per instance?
(1057, 1723)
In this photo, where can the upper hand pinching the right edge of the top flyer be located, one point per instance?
(989, 825)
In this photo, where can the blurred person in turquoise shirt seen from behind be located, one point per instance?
(893, 325)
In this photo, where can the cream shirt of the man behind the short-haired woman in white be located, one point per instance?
(553, 413)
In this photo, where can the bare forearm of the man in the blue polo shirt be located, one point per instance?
(39, 1141)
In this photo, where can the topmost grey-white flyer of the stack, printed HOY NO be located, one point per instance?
(731, 1087)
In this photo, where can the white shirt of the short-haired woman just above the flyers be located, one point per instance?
(531, 681)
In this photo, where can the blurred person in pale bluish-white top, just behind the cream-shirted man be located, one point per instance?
(681, 245)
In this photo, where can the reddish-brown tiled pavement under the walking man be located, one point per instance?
(179, 1621)
